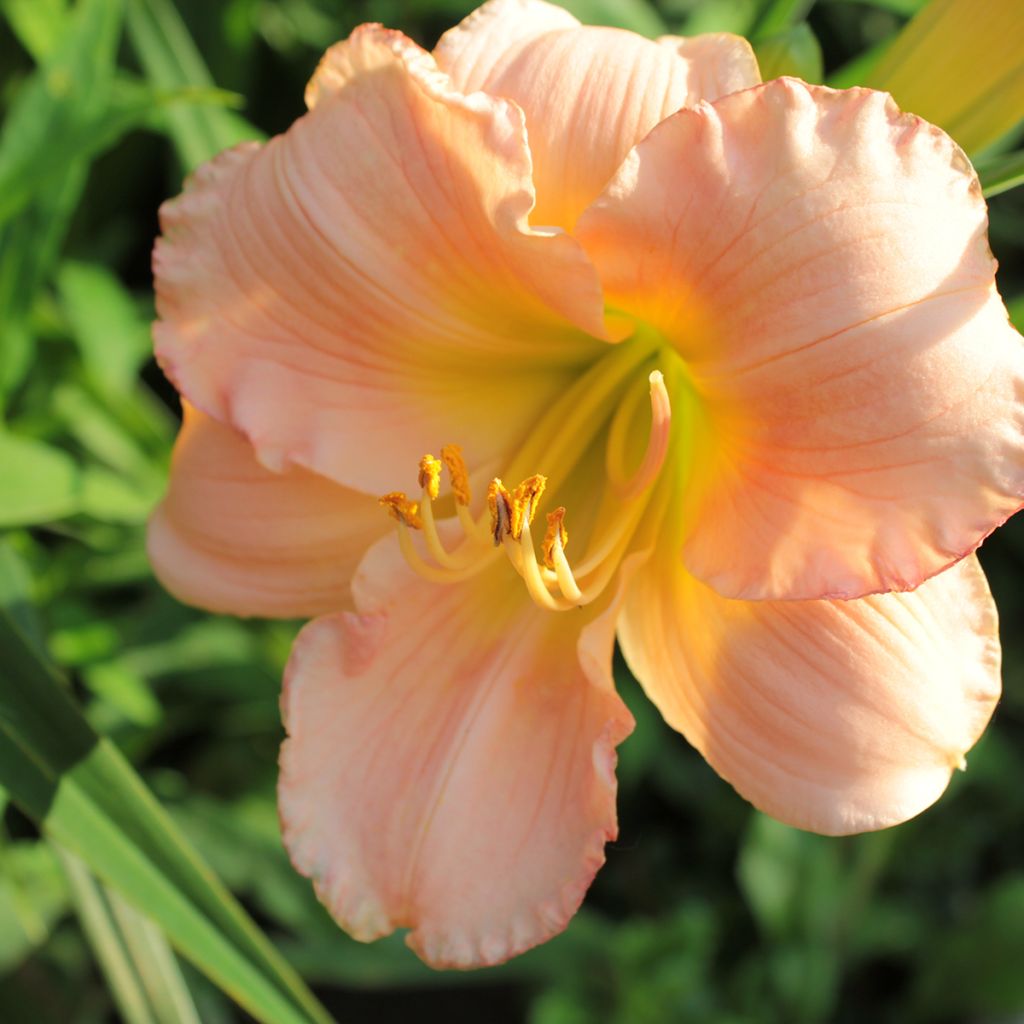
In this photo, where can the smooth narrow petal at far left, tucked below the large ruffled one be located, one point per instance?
(234, 537)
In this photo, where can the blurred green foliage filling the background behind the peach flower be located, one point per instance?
(707, 912)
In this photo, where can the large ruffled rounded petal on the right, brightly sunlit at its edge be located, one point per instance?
(821, 263)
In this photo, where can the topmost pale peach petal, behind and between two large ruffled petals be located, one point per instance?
(589, 94)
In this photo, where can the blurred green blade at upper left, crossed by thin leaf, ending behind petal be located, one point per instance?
(172, 62)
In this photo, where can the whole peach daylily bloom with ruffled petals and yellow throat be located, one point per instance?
(748, 333)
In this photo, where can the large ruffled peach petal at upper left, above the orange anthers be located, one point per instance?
(366, 287)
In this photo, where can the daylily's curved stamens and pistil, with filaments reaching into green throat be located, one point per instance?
(607, 390)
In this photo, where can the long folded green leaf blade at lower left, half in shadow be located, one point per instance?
(82, 794)
